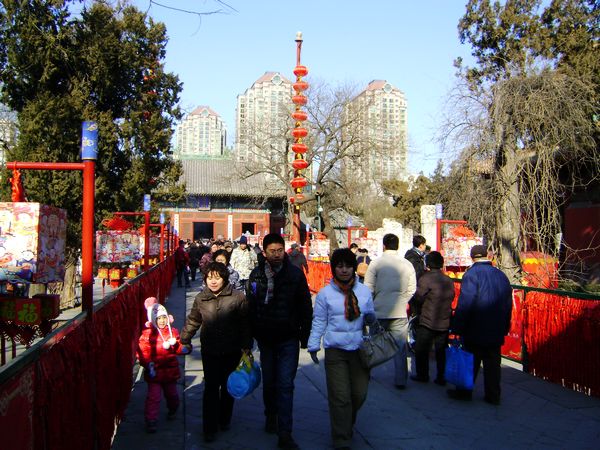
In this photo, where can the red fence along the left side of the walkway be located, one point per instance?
(70, 390)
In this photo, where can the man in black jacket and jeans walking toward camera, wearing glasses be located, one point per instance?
(281, 317)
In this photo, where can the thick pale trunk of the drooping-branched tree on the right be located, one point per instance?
(508, 217)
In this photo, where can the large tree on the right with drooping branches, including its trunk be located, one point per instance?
(525, 119)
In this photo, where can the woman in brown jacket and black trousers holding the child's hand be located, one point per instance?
(222, 312)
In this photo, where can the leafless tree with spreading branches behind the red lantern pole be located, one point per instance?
(334, 143)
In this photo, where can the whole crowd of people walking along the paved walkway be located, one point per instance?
(258, 295)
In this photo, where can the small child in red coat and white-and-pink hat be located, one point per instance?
(157, 349)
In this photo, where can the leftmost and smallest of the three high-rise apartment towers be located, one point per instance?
(201, 133)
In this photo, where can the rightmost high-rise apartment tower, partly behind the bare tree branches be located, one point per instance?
(377, 122)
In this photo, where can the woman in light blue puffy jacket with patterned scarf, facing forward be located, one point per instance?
(338, 315)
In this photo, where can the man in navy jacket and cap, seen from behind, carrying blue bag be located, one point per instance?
(482, 319)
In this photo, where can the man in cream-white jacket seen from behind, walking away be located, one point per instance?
(393, 282)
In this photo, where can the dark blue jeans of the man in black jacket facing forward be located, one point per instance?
(279, 363)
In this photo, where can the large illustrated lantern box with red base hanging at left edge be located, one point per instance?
(32, 248)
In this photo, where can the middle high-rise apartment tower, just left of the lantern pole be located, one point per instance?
(263, 117)
